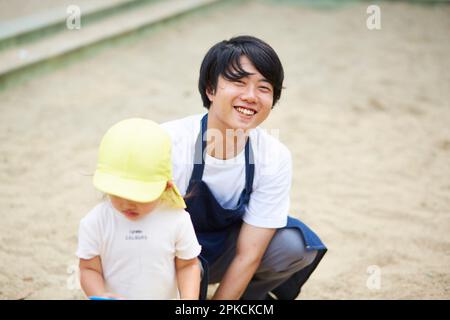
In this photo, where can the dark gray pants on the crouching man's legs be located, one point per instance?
(285, 255)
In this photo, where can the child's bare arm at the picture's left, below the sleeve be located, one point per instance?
(91, 278)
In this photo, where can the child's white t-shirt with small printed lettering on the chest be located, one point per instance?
(138, 256)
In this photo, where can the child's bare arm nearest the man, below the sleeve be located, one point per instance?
(188, 277)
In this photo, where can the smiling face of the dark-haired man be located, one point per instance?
(241, 104)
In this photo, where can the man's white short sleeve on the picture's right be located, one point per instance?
(269, 201)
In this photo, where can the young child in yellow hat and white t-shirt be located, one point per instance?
(139, 243)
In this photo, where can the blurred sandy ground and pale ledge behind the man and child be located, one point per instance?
(365, 113)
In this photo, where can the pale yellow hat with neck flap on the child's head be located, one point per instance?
(134, 163)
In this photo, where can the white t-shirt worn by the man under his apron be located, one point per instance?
(269, 200)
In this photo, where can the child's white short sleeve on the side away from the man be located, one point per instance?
(88, 238)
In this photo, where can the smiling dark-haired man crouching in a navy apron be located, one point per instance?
(236, 178)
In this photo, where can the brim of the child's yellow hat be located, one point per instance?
(134, 190)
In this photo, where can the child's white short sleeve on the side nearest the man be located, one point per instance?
(186, 246)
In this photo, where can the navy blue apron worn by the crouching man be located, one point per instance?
(211, 221)
